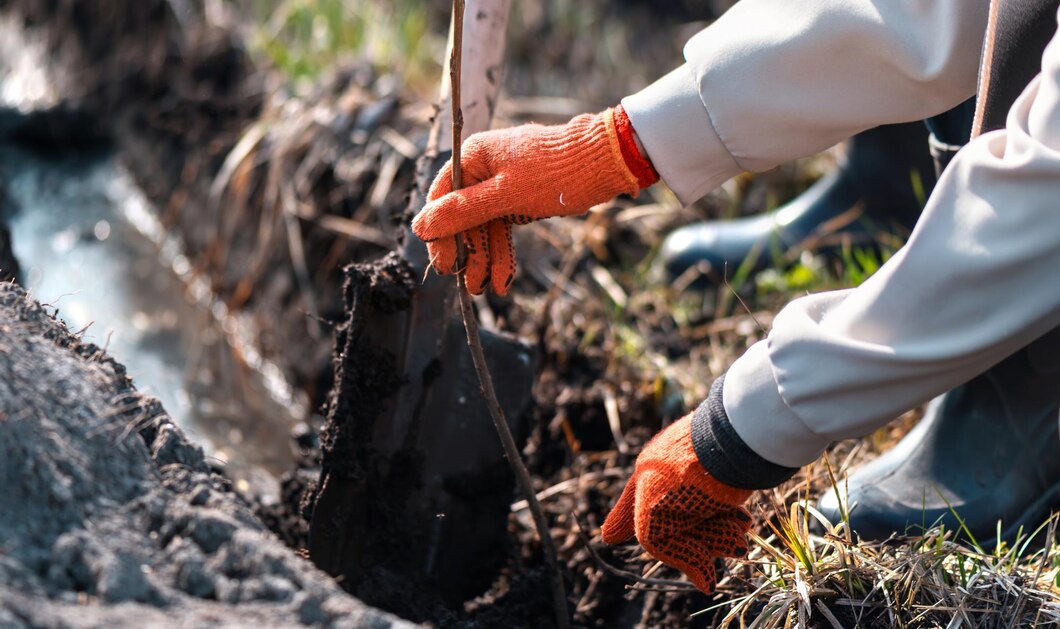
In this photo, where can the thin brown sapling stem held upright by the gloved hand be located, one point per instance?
(479, 357)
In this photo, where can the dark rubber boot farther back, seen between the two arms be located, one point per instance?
(871, 195)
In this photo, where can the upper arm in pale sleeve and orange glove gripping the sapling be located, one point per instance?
(770, 81)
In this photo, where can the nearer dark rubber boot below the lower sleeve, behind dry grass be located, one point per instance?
(990, 449)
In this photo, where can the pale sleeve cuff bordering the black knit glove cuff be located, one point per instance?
(759, 415)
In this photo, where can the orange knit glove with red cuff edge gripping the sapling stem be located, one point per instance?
(523, 174)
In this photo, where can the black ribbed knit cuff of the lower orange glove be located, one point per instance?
(725, 455)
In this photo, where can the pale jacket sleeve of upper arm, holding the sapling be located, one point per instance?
(775, 80)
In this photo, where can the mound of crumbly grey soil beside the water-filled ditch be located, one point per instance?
(113, 518)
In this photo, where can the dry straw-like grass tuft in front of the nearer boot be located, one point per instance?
(929, 581)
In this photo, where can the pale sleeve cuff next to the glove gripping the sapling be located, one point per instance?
(674, 126)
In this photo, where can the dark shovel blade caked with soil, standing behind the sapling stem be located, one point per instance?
(414, 496)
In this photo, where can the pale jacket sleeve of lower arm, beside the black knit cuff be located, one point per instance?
(978, 281)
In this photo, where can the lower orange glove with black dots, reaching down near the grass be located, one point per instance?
(682, 515)
